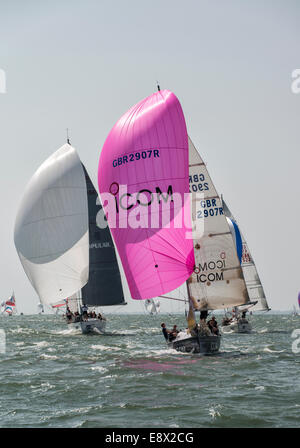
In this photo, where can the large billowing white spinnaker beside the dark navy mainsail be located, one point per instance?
(51, 229)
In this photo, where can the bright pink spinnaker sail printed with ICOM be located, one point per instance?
(143, 168)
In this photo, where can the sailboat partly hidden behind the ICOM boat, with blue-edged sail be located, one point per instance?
(238, 322)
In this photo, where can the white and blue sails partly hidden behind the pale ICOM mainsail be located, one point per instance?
(253, 283)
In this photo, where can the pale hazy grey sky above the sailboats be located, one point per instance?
(82, 64)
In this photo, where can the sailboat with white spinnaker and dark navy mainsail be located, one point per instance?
(59, 245)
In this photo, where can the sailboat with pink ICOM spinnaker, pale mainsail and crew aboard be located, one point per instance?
(148, 164)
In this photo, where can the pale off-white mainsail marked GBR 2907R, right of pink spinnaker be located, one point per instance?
(217, 281)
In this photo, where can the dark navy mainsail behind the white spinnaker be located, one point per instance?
(104, 286)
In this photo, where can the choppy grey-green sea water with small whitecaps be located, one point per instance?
(51, 376)
